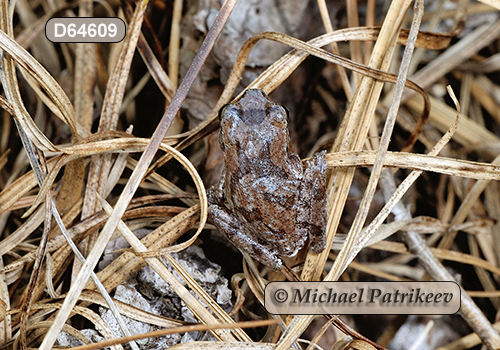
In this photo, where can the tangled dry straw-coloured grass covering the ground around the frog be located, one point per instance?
(77, 122)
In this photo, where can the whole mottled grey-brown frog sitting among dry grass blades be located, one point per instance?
(266, 203)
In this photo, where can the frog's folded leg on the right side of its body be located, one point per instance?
(311, 208)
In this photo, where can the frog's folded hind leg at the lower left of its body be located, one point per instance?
(238, 235)
